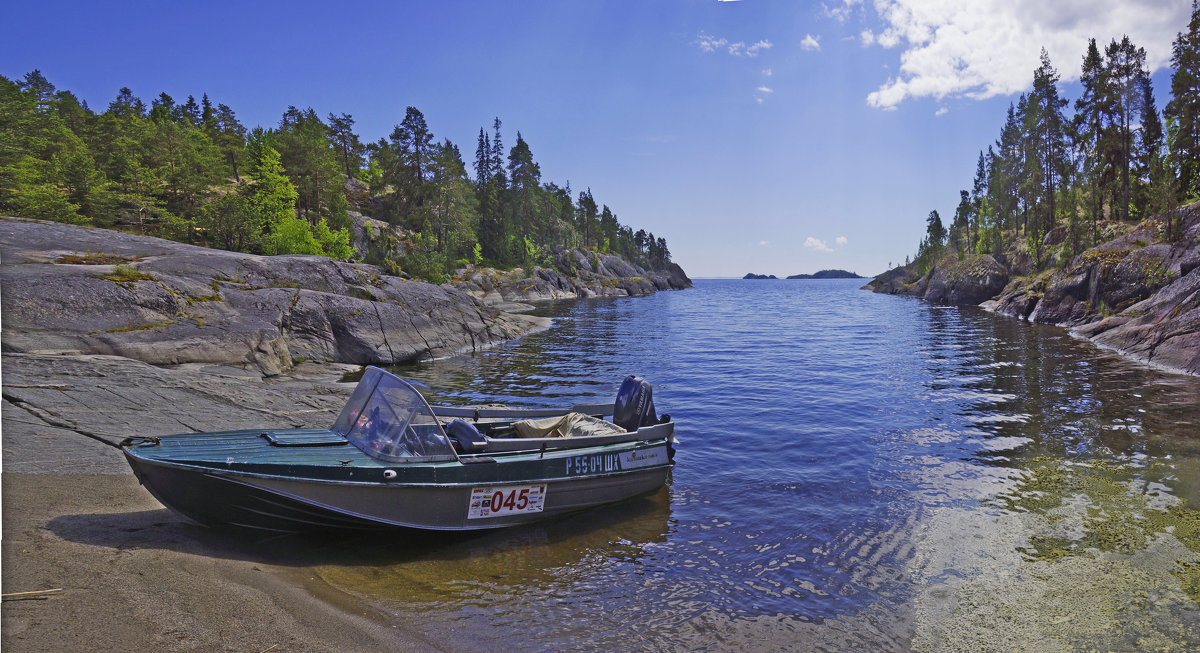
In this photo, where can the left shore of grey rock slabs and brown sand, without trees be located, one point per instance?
(109, 336)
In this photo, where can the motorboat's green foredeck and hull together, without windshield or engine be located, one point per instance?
(316, 482)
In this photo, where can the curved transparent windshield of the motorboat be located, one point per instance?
(391, 421)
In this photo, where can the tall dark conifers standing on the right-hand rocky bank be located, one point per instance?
(1115, 158)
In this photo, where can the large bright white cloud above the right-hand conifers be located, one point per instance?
(983, 49)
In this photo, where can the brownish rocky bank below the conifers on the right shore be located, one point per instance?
(1136, 295)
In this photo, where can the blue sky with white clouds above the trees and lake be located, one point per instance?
(755, 136)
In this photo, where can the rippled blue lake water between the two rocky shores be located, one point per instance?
(855, 472)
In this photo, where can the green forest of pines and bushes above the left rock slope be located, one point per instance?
(190, 171)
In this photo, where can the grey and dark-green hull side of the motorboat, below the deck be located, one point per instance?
(218, 498)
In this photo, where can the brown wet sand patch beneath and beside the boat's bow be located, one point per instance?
(135, 577)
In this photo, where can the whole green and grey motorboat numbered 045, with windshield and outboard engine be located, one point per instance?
(393, 462)
